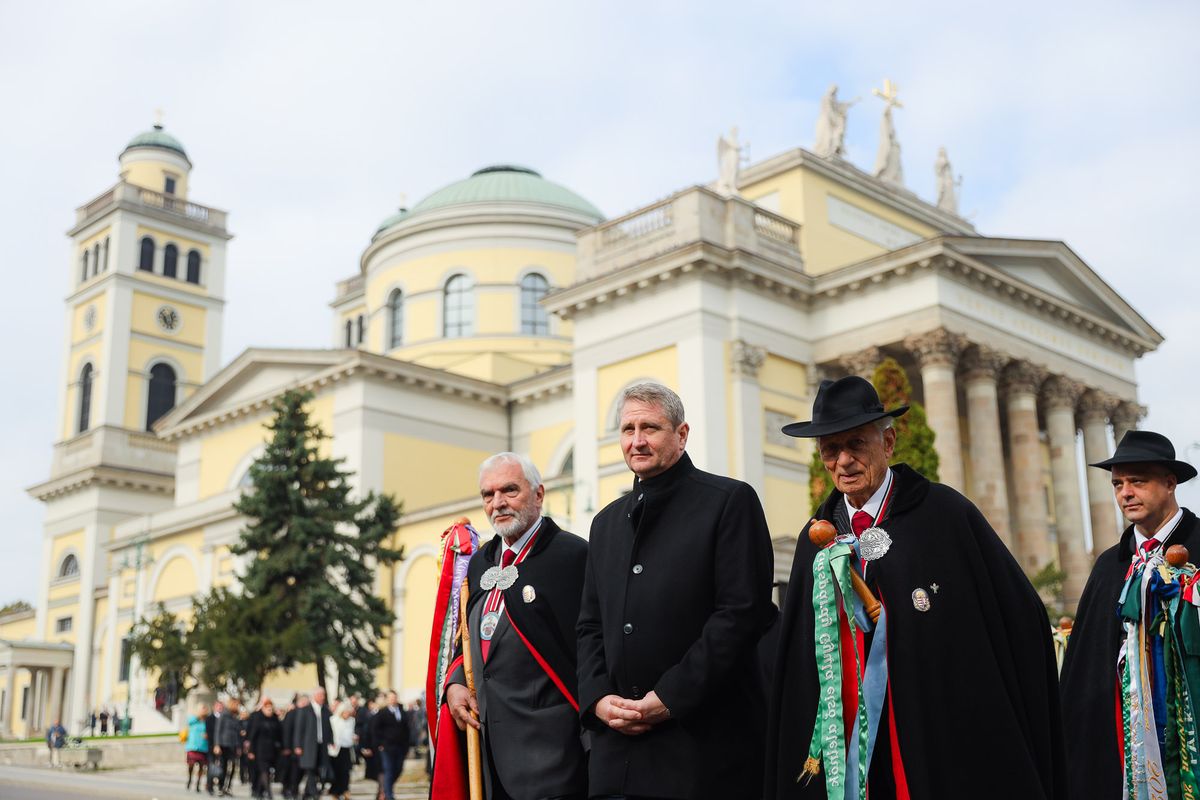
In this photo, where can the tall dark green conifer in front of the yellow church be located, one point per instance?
(314, 550)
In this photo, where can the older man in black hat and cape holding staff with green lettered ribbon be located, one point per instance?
(959, 689)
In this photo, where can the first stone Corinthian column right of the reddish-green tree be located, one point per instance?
(938, 354)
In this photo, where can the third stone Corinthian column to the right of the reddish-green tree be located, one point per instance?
(1022, 382)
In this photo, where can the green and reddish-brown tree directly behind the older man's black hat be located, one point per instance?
(915, 438)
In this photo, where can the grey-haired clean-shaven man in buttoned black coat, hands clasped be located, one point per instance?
(676, 597)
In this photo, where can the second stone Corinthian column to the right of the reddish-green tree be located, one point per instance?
(989, 489)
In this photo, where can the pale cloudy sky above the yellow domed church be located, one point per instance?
(1072, 121)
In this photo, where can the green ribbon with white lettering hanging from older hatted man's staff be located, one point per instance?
(831, 579)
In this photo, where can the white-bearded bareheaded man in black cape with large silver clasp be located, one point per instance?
(525, 600)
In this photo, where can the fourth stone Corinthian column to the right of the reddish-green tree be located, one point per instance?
(1061, 395)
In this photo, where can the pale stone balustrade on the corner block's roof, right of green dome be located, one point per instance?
(693, 216)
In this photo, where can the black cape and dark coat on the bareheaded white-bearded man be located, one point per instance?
(531, 730)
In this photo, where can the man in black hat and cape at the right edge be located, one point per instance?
(1145, 474)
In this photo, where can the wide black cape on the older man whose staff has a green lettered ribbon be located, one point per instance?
(973, 679)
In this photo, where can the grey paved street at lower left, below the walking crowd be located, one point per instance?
(154, 783)
